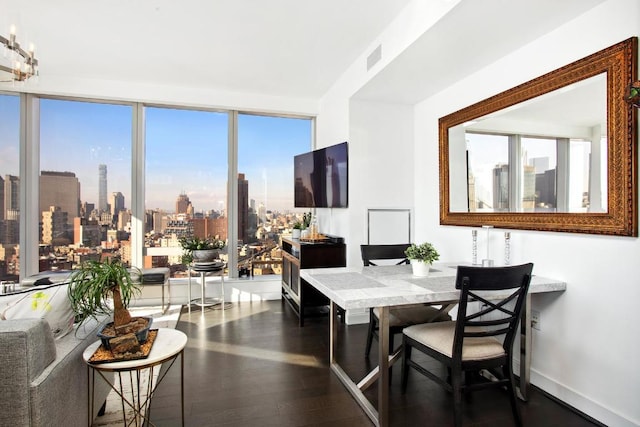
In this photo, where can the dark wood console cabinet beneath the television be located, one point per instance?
(303, 298)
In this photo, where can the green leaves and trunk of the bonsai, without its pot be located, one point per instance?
(95, 283)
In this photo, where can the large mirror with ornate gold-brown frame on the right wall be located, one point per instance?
(557, 153)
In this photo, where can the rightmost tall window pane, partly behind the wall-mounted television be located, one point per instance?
(266, 146)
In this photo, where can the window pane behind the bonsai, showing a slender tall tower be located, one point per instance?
(85, 182)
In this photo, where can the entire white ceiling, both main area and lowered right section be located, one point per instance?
(288, 48)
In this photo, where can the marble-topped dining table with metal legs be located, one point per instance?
(393, 286)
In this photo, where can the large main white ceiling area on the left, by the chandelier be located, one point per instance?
(277, 47)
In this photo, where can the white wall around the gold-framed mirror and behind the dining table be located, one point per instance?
(586, 351)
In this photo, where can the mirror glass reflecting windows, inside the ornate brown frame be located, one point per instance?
(545, 155)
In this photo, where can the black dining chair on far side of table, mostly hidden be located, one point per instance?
(399, 317)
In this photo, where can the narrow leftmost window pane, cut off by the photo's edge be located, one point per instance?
(9, 185)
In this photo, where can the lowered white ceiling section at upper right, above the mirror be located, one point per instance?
(474, 34)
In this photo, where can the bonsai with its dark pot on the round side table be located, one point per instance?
(95, 285)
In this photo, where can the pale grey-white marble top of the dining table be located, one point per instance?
(366, 287)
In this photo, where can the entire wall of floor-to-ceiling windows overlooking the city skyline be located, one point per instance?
(91, 204)
